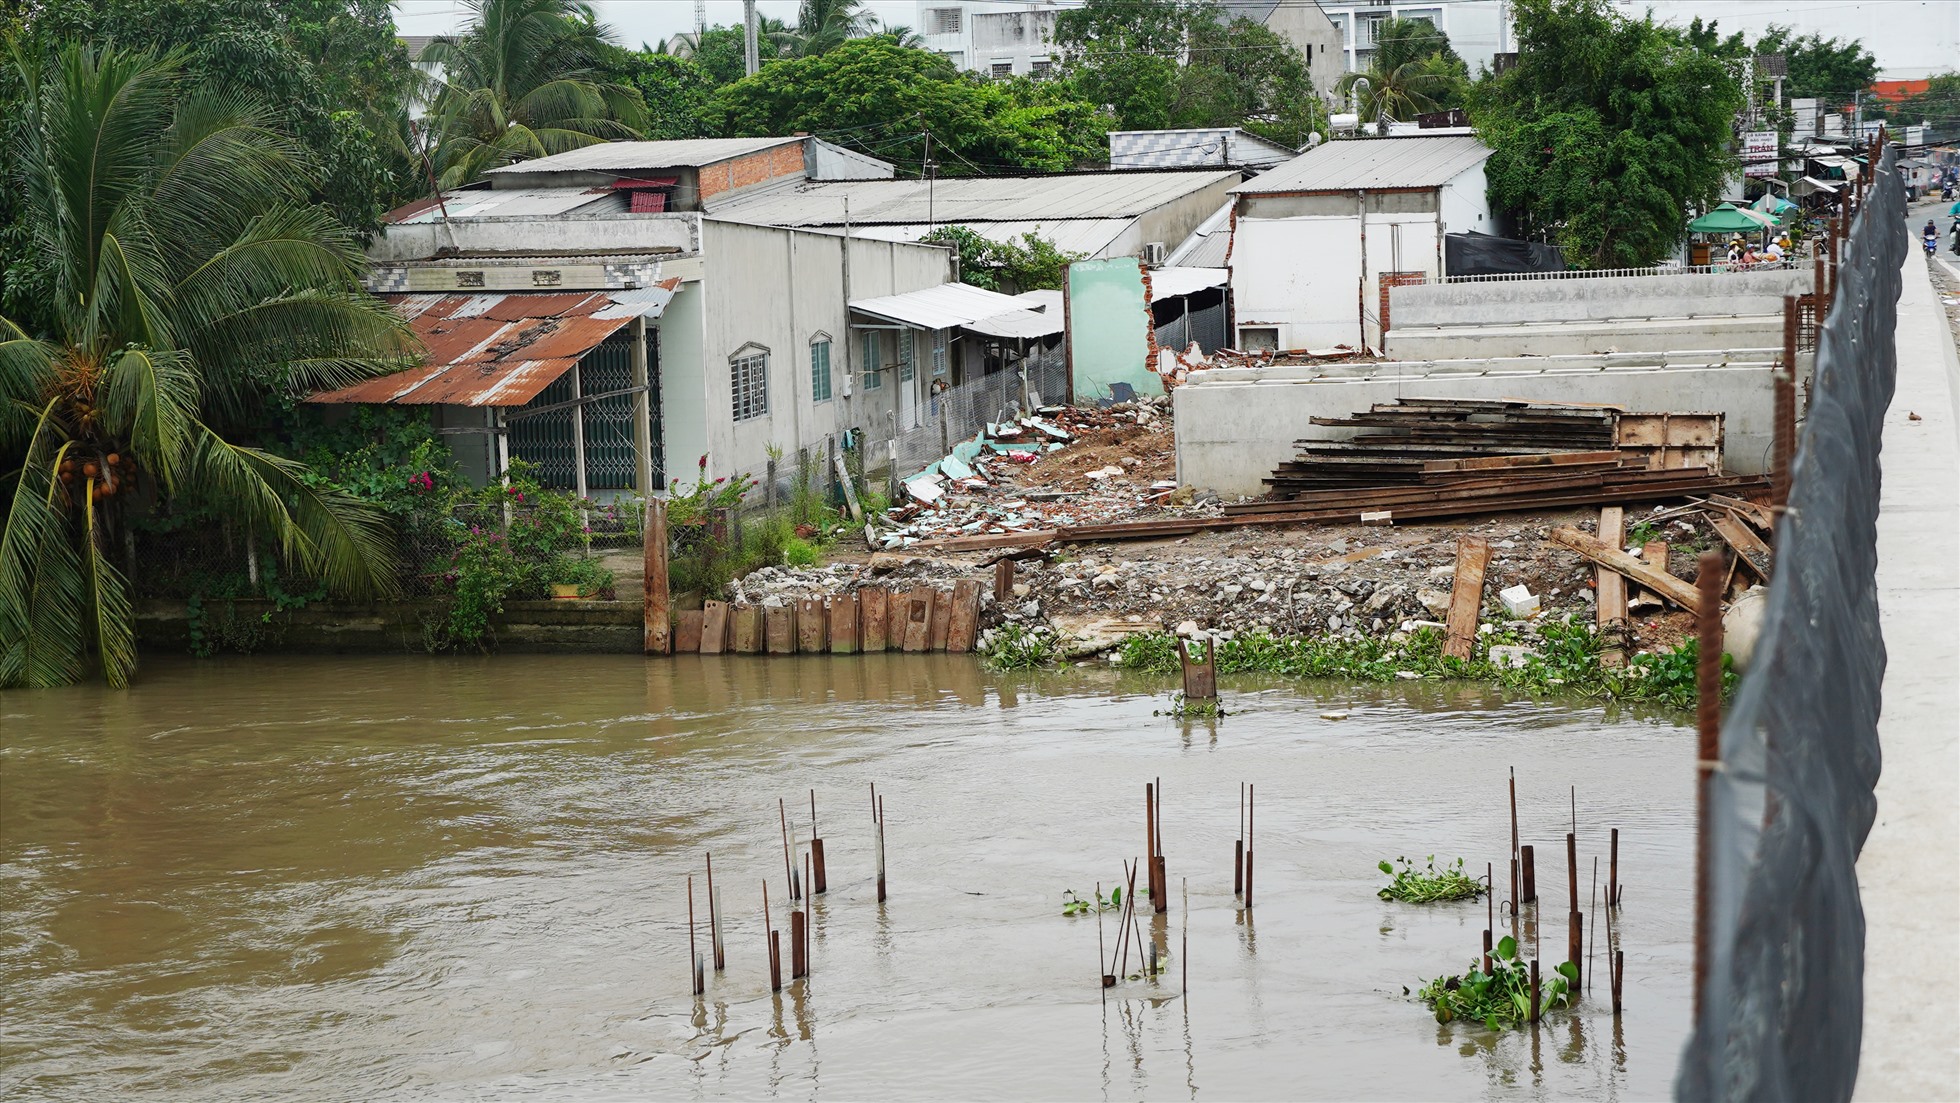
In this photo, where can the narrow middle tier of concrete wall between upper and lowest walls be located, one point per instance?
(1583, 338)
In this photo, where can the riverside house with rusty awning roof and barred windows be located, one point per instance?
(587, 314)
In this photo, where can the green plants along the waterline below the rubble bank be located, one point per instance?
(1563, 659)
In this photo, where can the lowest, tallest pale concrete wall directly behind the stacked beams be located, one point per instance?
(1240, 424)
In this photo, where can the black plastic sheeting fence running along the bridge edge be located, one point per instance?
(1783, 1002)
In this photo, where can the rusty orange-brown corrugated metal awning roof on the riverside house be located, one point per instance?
(501, 348)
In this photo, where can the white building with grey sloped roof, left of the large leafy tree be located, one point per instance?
(1314, 240)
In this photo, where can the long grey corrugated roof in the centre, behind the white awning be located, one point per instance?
(969, 201)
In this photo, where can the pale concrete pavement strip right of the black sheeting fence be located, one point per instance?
(1906, 873)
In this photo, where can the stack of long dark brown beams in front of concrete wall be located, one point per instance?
(1418, 459)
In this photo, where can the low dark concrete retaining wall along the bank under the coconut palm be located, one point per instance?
(393, 628)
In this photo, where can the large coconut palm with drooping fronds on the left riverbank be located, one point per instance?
(189, 281)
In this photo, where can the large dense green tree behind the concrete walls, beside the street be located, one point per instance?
(1606, 132)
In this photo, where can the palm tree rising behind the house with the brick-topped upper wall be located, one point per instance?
(524, 81)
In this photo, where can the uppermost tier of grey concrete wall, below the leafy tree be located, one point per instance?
(1520, 303)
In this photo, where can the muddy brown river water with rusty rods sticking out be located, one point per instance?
(411, 879)
